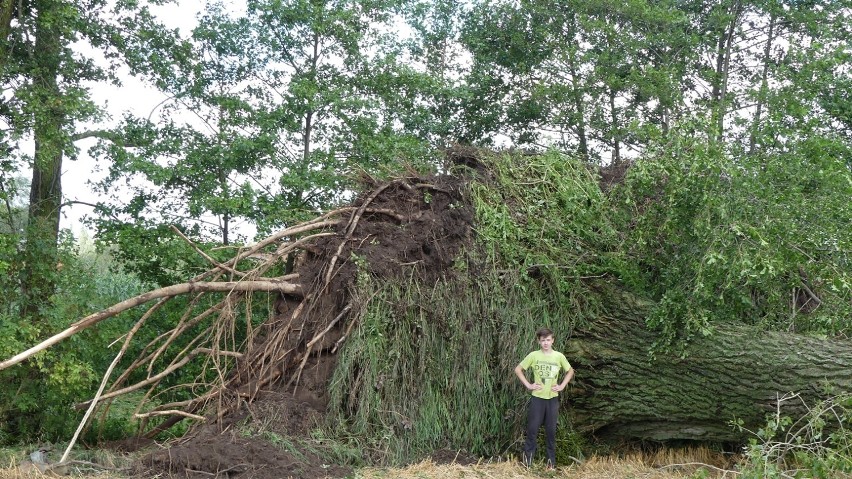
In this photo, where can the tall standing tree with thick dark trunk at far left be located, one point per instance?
(49, 73)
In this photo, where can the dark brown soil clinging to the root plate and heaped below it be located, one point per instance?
(408, 226)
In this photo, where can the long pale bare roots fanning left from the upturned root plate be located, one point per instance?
(237, 376)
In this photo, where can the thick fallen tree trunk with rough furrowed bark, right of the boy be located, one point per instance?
(736, 373)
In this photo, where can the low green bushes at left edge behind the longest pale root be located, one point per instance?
(39, 406)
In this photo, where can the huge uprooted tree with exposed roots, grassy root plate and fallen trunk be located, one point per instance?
(405, 312)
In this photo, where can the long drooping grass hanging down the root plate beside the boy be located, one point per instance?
(431, 368)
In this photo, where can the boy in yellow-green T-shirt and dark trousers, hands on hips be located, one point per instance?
(544, 403)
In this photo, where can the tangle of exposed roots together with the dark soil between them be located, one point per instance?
(311, 309)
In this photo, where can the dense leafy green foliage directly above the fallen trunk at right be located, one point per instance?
(758, 239)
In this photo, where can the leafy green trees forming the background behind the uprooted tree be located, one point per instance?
(732, 119)
